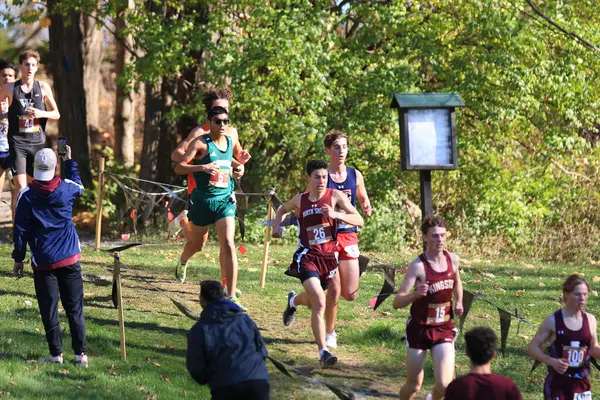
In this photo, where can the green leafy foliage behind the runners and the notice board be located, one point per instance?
(527, 140)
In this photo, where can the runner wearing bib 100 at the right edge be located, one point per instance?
(573, 338)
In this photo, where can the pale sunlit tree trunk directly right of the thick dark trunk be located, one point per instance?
(92, 61)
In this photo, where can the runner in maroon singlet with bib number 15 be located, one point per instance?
(435, 277)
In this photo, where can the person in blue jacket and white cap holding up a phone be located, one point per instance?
(44, 220)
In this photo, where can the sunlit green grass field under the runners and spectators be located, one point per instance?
(370, 345)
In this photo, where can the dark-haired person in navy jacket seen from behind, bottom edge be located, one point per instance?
(226, 350)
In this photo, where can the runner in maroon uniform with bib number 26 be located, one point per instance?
(315, 261)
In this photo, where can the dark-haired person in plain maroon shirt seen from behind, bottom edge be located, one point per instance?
(481, 383)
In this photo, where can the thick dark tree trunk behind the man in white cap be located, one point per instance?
(67, 72)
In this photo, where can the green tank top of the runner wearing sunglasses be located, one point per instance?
(219, 185)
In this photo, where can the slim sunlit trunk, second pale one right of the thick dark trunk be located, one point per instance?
(124, 123)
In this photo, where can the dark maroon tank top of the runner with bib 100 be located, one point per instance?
(573, 346)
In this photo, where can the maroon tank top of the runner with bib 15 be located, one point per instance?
(435, 309)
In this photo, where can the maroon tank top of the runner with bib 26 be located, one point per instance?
(317, 233)
